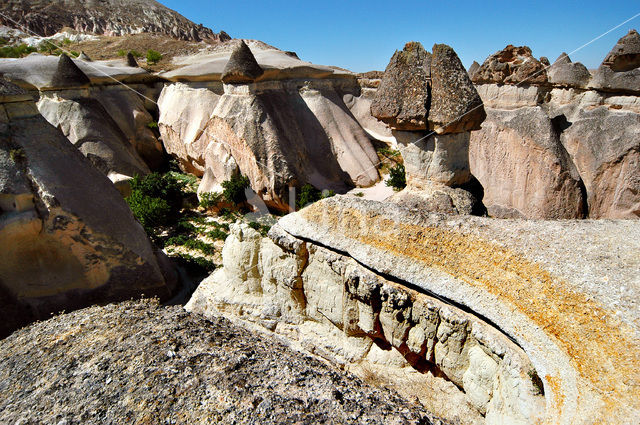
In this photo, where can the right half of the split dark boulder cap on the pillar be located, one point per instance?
(456, 105)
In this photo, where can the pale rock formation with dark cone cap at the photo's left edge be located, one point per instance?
(107, 121)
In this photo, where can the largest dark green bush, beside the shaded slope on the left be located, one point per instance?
(156, 200)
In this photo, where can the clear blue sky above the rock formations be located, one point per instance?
(362, 35)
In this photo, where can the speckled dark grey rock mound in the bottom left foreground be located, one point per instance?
(138, 362)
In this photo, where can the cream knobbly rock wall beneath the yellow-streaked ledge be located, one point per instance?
(338, 309)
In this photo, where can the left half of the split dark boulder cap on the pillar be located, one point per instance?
(402, 98)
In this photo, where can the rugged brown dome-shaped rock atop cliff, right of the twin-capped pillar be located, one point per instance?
(511, 65)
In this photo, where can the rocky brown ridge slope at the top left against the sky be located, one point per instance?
(113, 17)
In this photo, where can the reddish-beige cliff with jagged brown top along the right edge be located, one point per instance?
(560, 143)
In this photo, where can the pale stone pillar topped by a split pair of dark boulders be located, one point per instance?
(431, 106)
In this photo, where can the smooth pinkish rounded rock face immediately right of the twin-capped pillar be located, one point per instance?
(523, 167)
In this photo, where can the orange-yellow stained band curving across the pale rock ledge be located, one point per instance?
(602, 348)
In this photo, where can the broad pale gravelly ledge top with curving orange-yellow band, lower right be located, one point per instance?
(547, 284)
